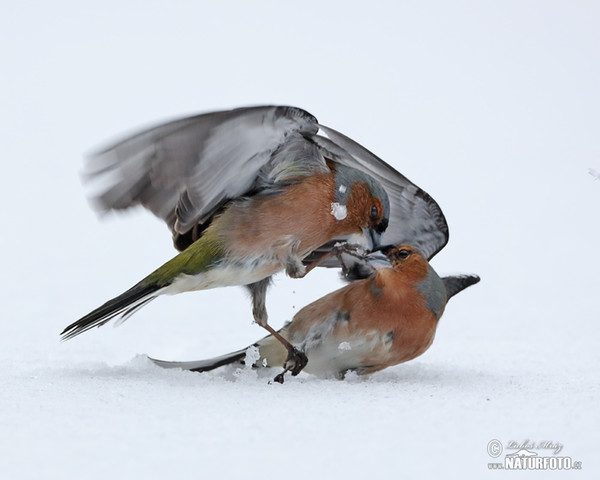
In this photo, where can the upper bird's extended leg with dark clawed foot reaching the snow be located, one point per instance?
(296, 360)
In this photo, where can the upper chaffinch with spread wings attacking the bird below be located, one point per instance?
(250, 192)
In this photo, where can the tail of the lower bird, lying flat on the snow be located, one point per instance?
(271, 353)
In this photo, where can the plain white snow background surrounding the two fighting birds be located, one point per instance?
(492, 107)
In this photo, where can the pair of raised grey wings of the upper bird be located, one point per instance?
(186, 170)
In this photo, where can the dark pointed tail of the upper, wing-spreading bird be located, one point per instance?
(124, 305)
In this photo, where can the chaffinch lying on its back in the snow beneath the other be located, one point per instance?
(388, 318)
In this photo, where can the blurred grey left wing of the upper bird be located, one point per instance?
(183, 170)
